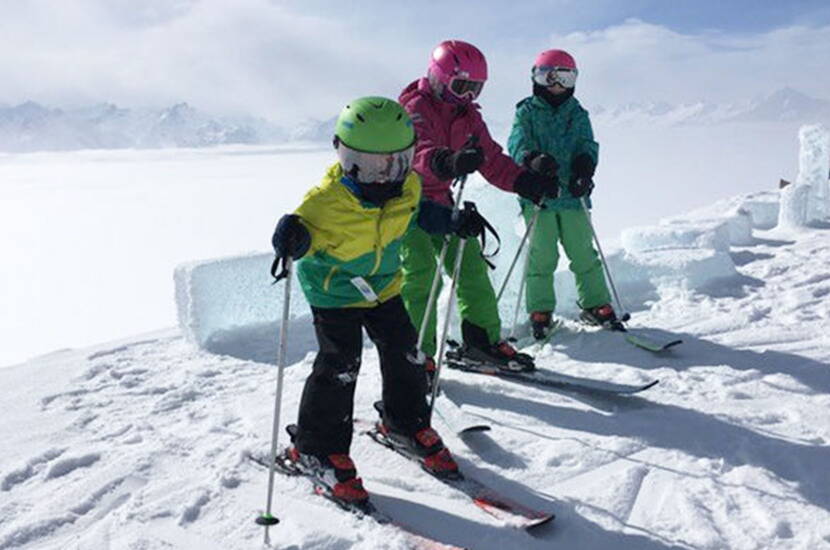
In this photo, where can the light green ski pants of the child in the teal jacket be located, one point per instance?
(573, 230)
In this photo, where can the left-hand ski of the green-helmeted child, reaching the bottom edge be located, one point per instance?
(366, 510)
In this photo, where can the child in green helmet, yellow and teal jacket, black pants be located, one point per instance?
(347, 235)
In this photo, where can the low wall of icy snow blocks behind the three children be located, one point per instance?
(228, 305)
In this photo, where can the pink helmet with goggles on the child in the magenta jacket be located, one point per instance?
(457, 71)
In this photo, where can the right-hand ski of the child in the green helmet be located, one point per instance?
(507, 511)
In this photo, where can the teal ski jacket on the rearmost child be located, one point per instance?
(562, 132)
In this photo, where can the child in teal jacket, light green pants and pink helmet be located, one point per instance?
(552, 135)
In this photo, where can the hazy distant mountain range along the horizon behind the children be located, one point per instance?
(33, 127)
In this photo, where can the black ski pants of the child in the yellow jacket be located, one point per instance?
(327, 404)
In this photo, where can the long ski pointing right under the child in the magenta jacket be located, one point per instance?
(456, 360)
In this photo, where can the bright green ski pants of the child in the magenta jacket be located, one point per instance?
(476, 298)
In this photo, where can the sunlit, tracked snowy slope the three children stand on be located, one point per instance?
(140, 444)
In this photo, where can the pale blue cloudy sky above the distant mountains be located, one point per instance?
(292, 59)
